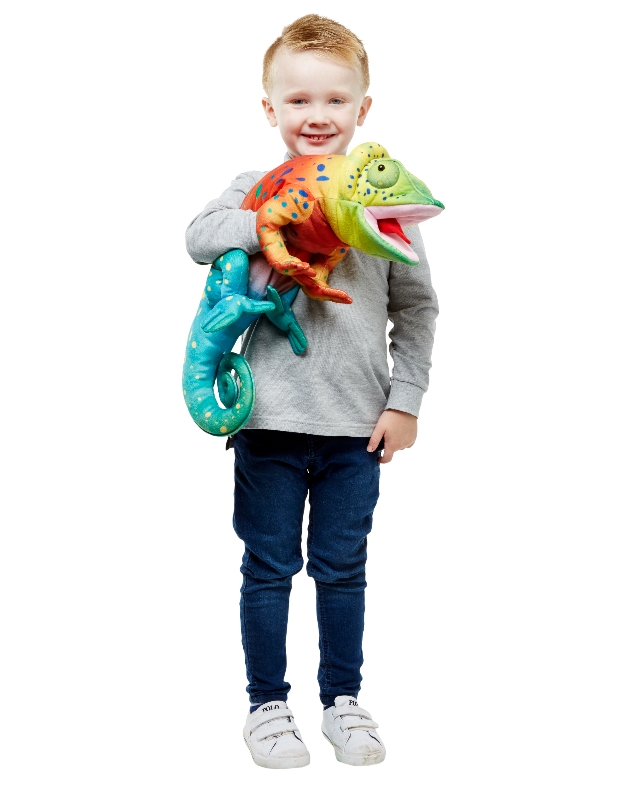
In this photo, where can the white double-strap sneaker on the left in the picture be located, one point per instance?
(273, 737)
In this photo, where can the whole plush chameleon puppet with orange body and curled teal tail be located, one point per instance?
(309, 212)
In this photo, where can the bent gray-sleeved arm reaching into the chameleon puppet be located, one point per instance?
(222, 225)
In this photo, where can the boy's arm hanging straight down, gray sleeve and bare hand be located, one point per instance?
(412, 308)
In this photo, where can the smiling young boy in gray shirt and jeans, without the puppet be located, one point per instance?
(320, 419)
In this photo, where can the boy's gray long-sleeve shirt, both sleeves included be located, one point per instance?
(341, 384)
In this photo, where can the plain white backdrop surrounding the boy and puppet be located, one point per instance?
(497, 645)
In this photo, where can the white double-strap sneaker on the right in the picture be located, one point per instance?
(350, 730)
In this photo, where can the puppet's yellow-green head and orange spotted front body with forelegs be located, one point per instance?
(312, 209)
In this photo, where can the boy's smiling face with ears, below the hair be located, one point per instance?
(316, 103)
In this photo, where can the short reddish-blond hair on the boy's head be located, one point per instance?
(319, 34)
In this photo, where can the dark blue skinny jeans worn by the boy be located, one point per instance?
(274, 472)
